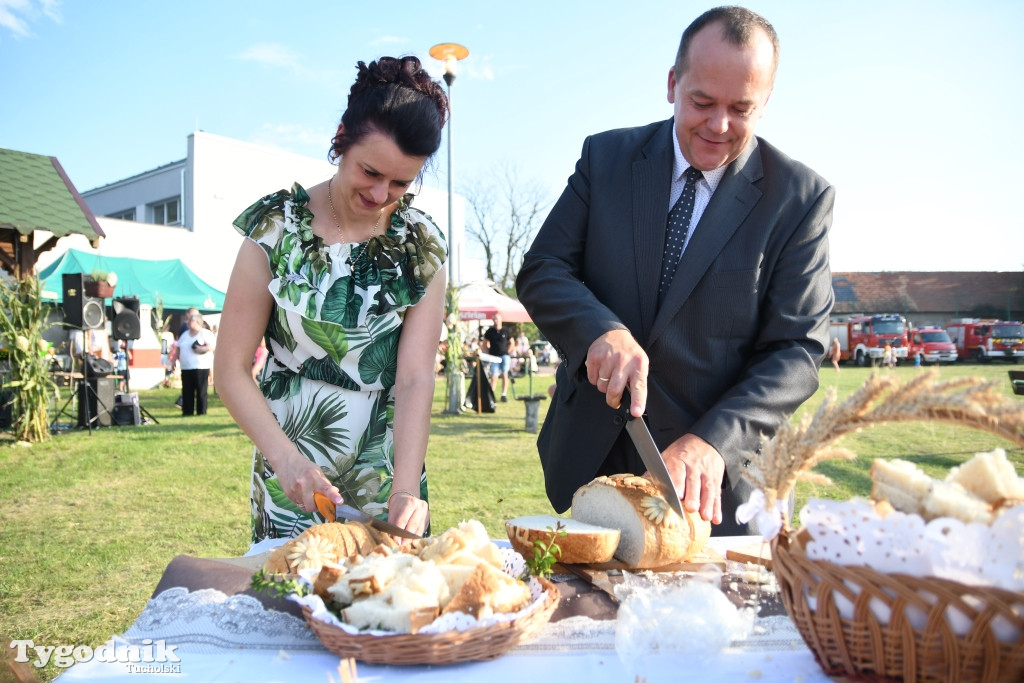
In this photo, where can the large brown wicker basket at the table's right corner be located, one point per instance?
(867, 649)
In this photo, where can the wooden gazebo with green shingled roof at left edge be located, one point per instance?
(36, 195)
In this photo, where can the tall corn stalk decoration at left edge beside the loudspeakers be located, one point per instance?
(23, 321)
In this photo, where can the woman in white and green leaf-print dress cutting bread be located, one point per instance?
(347, 282)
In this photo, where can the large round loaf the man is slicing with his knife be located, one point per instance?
(652, 534)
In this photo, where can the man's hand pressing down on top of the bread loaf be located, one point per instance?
(698, 471)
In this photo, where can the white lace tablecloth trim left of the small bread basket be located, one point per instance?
(207, 621)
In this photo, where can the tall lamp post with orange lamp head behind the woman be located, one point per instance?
(451, 54)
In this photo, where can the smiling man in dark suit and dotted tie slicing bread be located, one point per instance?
(717, 348)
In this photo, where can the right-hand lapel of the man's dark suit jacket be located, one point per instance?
(734, 200)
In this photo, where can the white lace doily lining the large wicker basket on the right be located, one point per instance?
(851, 533)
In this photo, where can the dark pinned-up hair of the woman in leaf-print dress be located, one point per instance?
(398, 98)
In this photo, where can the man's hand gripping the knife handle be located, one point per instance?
(615, 363)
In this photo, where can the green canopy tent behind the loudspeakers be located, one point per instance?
(169, 282)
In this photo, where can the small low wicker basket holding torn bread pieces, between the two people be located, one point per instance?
(482, 644)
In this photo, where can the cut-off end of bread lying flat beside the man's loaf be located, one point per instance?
(583, 543)
